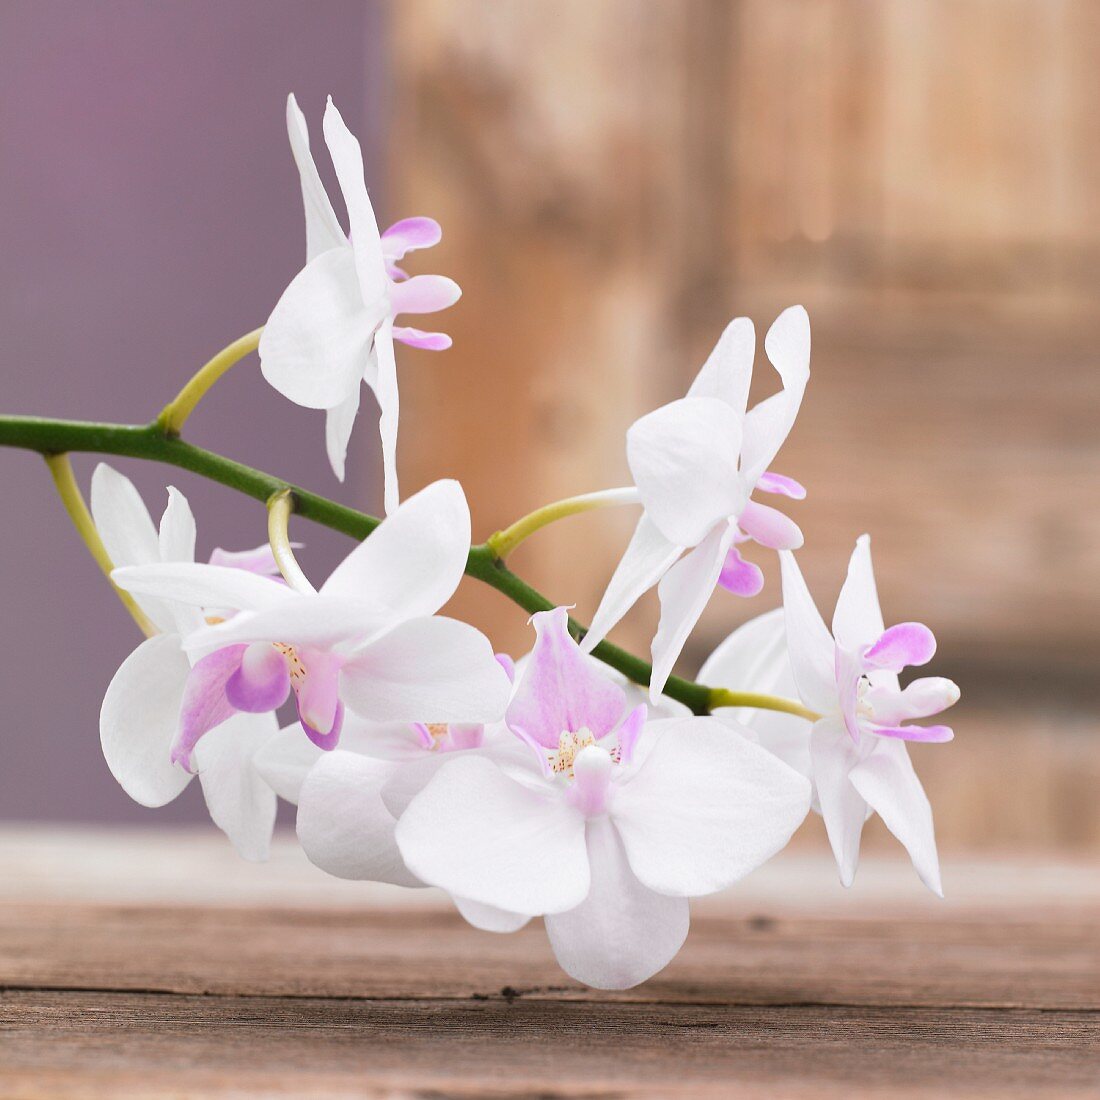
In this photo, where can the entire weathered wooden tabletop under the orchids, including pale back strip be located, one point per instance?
(148, 964)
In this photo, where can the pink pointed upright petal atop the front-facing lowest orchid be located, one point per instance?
(563, 690)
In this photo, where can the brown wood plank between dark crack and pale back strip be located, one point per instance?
(765, 959)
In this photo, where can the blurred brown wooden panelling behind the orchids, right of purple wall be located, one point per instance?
(618, 180)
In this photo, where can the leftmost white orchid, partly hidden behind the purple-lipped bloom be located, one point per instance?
(141, 709)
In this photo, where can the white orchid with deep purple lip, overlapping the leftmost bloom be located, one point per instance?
(369, 639)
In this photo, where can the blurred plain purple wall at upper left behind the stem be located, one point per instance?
(149, 215)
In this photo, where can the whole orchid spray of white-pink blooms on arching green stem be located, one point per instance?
(581, 785)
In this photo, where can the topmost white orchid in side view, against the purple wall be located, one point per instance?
(334, 327)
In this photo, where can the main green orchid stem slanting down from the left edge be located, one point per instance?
(155, 444)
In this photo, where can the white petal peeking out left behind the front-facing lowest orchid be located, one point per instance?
(344, 827)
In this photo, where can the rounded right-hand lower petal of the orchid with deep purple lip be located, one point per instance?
(427, 670)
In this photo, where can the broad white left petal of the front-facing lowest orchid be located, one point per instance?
(482, 837)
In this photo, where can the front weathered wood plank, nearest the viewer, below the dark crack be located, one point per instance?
(67, 1046)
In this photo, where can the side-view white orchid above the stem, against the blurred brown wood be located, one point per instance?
(697, 464)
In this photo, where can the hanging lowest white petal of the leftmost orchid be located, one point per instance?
(241, 804)
